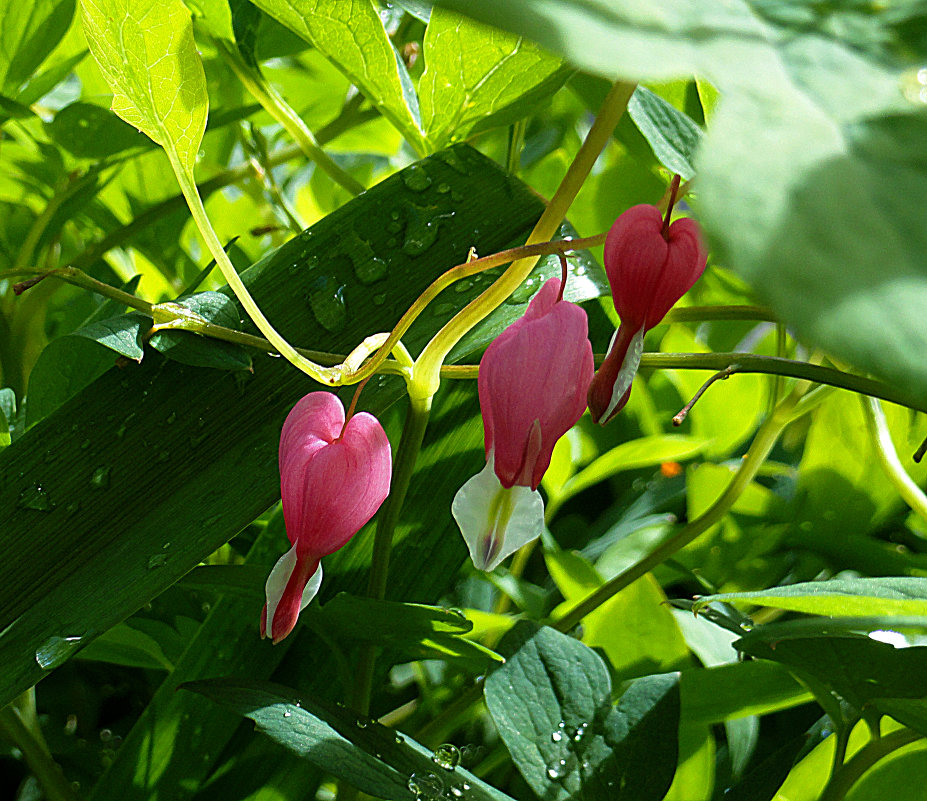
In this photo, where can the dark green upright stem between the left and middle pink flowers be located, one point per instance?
(410, 444)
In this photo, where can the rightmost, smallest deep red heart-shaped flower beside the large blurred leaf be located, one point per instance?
(650, 265)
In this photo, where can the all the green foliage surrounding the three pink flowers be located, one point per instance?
(138, 435)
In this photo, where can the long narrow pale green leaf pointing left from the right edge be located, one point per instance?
(861, 597)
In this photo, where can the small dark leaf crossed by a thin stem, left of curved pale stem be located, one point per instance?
(190, 348)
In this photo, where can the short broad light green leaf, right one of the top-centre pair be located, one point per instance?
(477, 78)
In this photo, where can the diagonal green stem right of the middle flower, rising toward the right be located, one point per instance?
(763, 443)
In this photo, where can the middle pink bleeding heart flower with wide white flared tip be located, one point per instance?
(532, 385)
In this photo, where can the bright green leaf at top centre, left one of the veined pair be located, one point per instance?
(350, 34)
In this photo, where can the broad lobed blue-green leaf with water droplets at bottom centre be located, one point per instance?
(551, 702)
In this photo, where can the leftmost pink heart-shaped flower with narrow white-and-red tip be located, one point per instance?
(333, 478)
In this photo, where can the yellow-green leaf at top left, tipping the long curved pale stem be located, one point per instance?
(146, 52)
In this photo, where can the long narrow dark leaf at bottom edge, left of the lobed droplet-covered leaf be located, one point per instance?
(369, 756)
